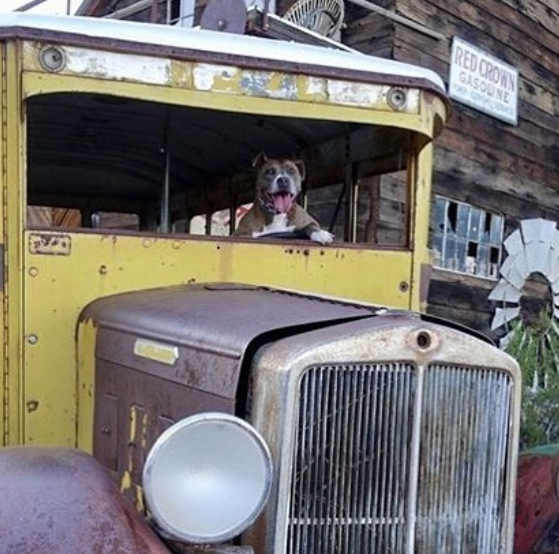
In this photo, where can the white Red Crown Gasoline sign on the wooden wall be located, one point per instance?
(483, 82)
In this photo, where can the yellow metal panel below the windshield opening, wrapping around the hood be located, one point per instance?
(58, 286)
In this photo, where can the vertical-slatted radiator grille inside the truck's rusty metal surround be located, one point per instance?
(391, 461)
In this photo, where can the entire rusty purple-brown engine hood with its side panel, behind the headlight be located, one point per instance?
(165, 354)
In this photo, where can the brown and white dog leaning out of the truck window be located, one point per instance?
(275, 209)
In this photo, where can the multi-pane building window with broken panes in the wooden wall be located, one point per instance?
(466, 239)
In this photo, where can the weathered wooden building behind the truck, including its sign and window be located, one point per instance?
(493, 170)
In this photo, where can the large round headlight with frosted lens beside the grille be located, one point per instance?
(207, 478)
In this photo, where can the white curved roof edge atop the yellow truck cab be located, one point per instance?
(109, 31)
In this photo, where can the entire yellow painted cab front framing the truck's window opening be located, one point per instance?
(59, 281)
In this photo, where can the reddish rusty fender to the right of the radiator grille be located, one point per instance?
(537, 503)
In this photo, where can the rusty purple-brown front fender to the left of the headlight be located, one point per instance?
(61, 500)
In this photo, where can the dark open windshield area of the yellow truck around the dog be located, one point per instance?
(106, 162)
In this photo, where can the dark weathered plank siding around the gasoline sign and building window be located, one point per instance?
(480, 160)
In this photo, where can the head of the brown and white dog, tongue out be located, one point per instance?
(278, 182)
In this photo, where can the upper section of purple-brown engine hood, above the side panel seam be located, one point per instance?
(211, 326)
